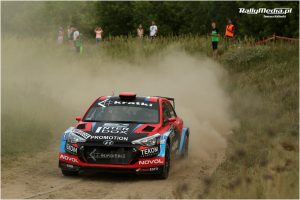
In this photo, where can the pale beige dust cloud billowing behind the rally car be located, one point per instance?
(72, 83)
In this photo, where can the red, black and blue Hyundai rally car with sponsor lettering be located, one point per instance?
(125, 133)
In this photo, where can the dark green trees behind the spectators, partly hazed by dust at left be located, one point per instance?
(122, 18)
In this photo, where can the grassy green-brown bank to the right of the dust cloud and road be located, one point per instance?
(262, 159)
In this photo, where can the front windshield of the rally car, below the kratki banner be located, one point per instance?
(123, 113)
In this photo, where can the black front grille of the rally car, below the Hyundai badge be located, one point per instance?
(109, 155)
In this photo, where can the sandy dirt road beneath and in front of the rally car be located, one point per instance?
(39, 177)
